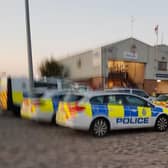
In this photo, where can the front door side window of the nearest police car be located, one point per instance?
(135, 101)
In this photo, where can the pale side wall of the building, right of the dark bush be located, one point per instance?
(84, 65)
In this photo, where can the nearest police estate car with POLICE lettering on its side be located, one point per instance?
(101, 112)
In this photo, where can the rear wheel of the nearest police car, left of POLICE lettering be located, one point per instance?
(100, 127)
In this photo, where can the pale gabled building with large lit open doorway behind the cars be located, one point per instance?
(126, 63)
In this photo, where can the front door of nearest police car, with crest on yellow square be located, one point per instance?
(139, 111)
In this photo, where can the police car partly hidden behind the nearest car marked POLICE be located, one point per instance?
(42, 107)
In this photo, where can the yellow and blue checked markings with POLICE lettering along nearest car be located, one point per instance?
(122, 114)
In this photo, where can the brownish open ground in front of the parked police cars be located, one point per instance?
(27, 144)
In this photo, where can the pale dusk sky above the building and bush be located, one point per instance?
(60, 28)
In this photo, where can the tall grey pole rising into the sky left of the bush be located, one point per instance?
(29, 48)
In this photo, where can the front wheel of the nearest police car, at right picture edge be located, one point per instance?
(162, 123)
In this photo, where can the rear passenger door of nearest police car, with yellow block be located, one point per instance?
(116, 112)
